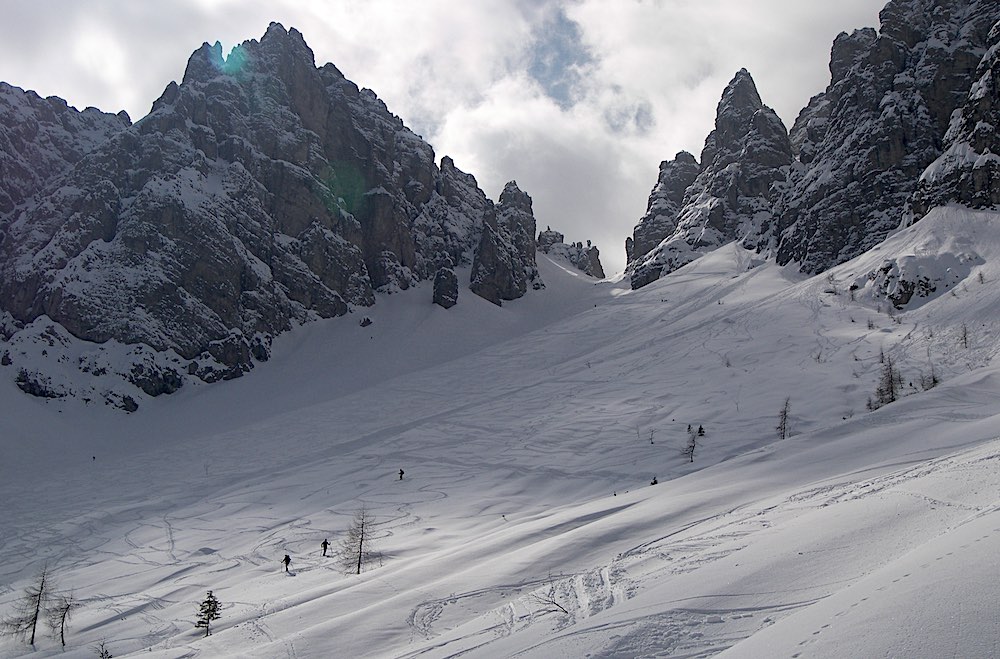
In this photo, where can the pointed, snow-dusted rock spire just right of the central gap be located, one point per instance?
(733, 194)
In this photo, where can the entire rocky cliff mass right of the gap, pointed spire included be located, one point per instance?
(842, 179)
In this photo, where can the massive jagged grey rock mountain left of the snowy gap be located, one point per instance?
(260, 193)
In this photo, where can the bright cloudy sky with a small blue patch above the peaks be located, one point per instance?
(577, 100)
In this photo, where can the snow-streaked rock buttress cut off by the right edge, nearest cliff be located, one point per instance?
(968, 172)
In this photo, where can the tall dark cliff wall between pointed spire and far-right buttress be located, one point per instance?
(865, 141)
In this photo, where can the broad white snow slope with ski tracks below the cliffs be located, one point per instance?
(526, 525)
